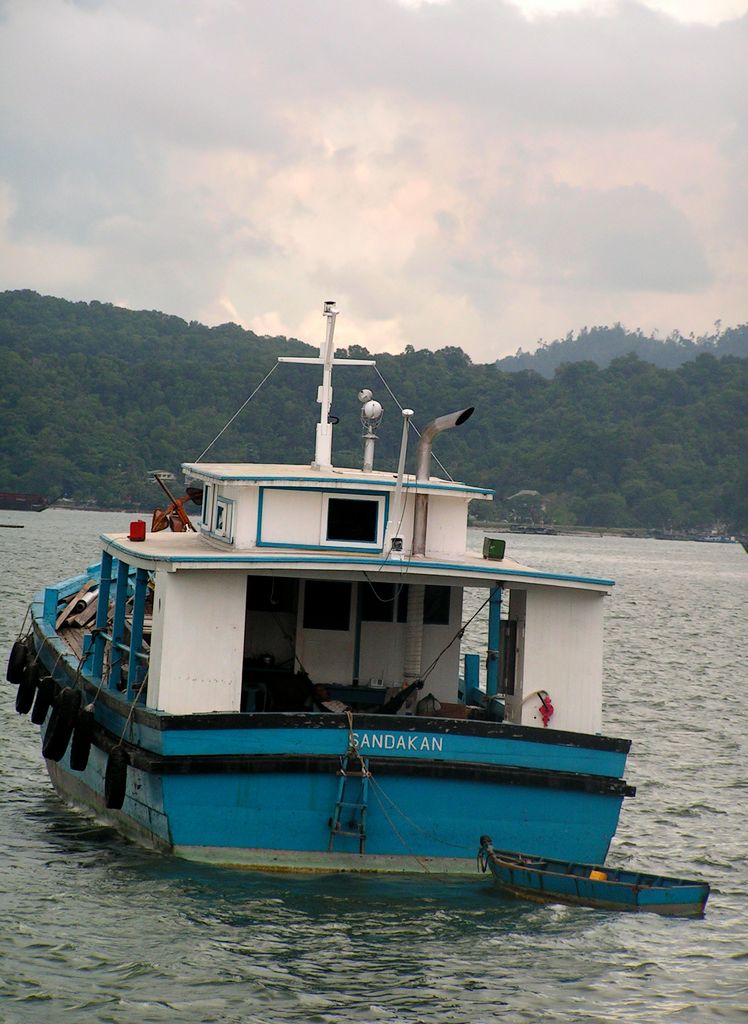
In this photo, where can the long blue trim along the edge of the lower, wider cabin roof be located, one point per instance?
(406, 566)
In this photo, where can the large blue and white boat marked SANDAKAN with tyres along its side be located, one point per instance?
(280, 684)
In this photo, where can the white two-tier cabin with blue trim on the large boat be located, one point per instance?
(288, 571)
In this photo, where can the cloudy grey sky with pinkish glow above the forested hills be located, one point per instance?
(481, 174)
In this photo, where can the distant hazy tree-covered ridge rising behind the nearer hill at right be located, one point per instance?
(603, 345)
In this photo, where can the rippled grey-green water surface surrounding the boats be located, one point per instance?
(96, 929)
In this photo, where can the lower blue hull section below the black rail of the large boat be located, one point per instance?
(283, 819)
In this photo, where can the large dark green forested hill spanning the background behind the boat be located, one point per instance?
(94, 397)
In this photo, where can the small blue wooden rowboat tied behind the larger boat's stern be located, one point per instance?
(589, 885)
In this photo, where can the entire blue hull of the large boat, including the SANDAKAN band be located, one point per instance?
(262, 790)
